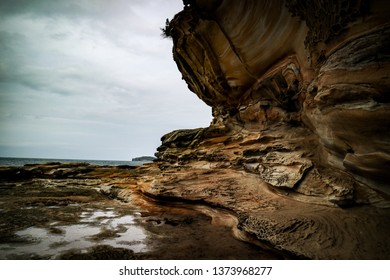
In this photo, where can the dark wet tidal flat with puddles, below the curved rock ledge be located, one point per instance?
(99, 231)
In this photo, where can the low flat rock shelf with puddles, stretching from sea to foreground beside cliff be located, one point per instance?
(76, 211)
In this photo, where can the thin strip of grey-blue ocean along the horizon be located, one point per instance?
(10, 161)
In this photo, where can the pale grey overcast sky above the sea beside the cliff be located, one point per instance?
(90, 79)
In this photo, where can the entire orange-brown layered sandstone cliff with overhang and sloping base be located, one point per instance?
(299, 146)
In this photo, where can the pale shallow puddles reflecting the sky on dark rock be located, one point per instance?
(101, 227)
